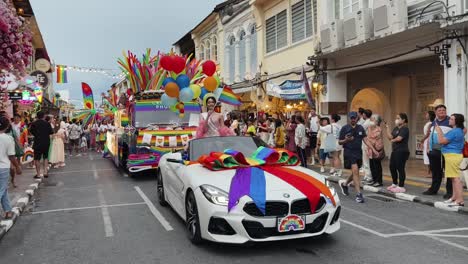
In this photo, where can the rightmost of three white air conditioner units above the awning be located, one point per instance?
(390, 16)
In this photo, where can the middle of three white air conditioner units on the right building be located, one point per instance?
(358, 27)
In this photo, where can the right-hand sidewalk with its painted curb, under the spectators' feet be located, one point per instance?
(416, 183)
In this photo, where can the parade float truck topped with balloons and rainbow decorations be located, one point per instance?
(162, 105)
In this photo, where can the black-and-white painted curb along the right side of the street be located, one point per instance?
(408, 197)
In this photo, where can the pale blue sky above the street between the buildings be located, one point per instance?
(93, 33)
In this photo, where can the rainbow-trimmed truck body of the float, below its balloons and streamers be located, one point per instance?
(156, 131)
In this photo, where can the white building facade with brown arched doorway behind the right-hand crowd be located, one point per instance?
(393, 56)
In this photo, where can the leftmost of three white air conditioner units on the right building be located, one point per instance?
(331, 36)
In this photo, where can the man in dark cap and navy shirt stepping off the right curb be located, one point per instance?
(351, 137)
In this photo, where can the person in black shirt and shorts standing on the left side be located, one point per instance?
(41, 130)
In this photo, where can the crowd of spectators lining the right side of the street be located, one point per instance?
(316, 139)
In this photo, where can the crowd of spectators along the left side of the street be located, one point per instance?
(51, 139)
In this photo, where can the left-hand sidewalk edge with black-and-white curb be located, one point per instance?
(19, 197)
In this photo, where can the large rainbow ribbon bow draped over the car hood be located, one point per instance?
(249, 178)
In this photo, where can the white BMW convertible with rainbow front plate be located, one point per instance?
(200, 197)
